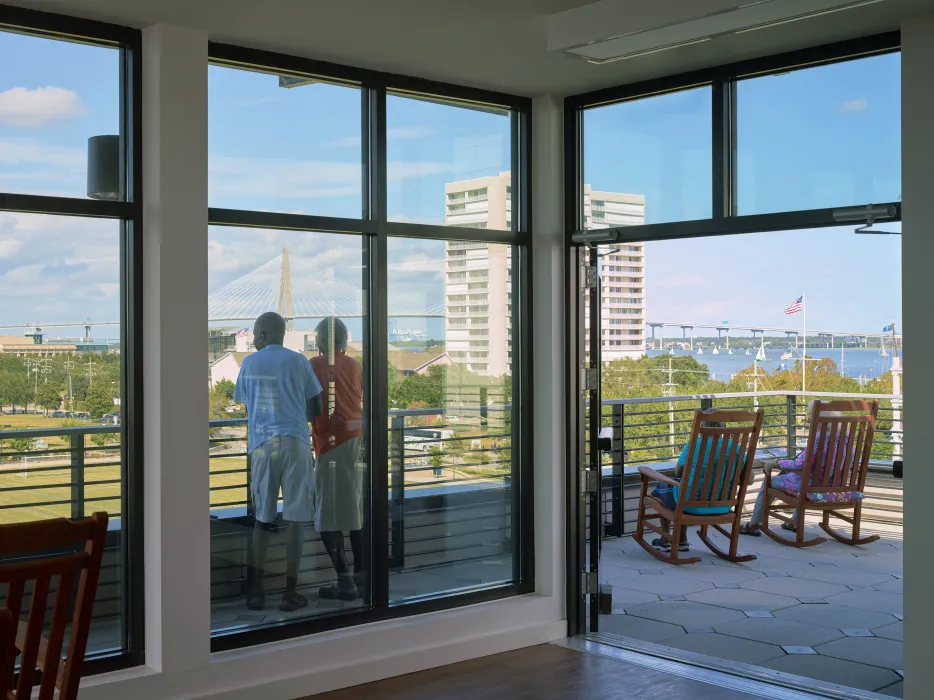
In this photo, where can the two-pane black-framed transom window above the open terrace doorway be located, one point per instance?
(785, 139)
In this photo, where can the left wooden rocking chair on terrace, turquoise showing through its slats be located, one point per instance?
(717, 471)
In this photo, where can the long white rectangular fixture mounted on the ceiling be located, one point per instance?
(568, 31)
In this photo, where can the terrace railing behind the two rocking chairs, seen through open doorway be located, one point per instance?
(654, 430)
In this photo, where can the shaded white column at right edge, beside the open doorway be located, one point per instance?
(918, 286)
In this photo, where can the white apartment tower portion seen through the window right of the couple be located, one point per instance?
(478, 277)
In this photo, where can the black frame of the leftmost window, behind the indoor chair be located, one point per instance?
(130, 213)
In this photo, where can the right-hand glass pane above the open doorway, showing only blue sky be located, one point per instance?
(801, 137)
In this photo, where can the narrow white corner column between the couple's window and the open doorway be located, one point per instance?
(549, 333)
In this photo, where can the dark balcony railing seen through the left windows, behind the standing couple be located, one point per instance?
(449, 496)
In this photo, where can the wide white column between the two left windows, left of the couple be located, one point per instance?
(177, 543)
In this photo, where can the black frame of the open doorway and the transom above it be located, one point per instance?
(723, 221)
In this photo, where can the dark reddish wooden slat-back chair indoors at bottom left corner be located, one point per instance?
(35, 650)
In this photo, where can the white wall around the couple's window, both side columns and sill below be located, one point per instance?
(177, 557)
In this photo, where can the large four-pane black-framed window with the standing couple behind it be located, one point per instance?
(334, 203)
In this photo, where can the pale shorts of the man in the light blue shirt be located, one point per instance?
(282, 462)
